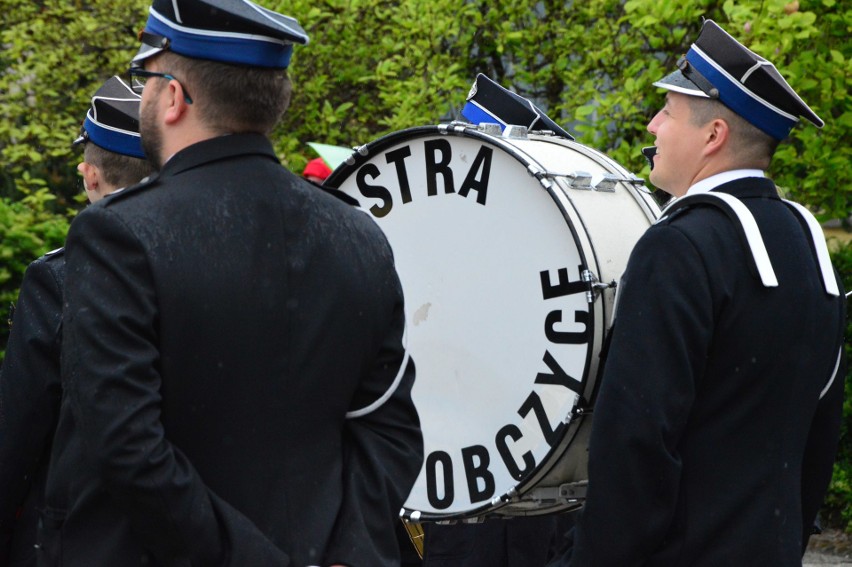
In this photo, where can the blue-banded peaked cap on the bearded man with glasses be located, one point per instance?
(229, 31)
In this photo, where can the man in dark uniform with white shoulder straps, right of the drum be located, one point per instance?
(719, 408)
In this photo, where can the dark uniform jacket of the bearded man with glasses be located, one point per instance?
(235, 385)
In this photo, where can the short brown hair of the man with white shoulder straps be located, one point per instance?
(753, 147)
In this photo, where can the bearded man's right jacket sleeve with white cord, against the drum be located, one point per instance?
(383, 452)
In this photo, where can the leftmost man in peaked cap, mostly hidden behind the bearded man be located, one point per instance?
(30, 377)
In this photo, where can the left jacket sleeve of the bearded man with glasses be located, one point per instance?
(110, 369)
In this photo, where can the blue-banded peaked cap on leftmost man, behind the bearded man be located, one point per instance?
(112, 121)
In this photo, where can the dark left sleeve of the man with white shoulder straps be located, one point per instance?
(662, 325)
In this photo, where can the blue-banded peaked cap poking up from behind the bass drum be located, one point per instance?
(488, 102)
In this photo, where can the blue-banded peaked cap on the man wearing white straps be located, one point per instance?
(718, 66)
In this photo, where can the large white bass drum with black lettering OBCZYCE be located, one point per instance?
(508, 246)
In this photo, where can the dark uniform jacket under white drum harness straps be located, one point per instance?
(711, 445)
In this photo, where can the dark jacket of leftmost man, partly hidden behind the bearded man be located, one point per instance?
(29, 405)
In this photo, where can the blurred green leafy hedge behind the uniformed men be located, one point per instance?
(378, 66)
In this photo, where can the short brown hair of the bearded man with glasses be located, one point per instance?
(232, 98)
